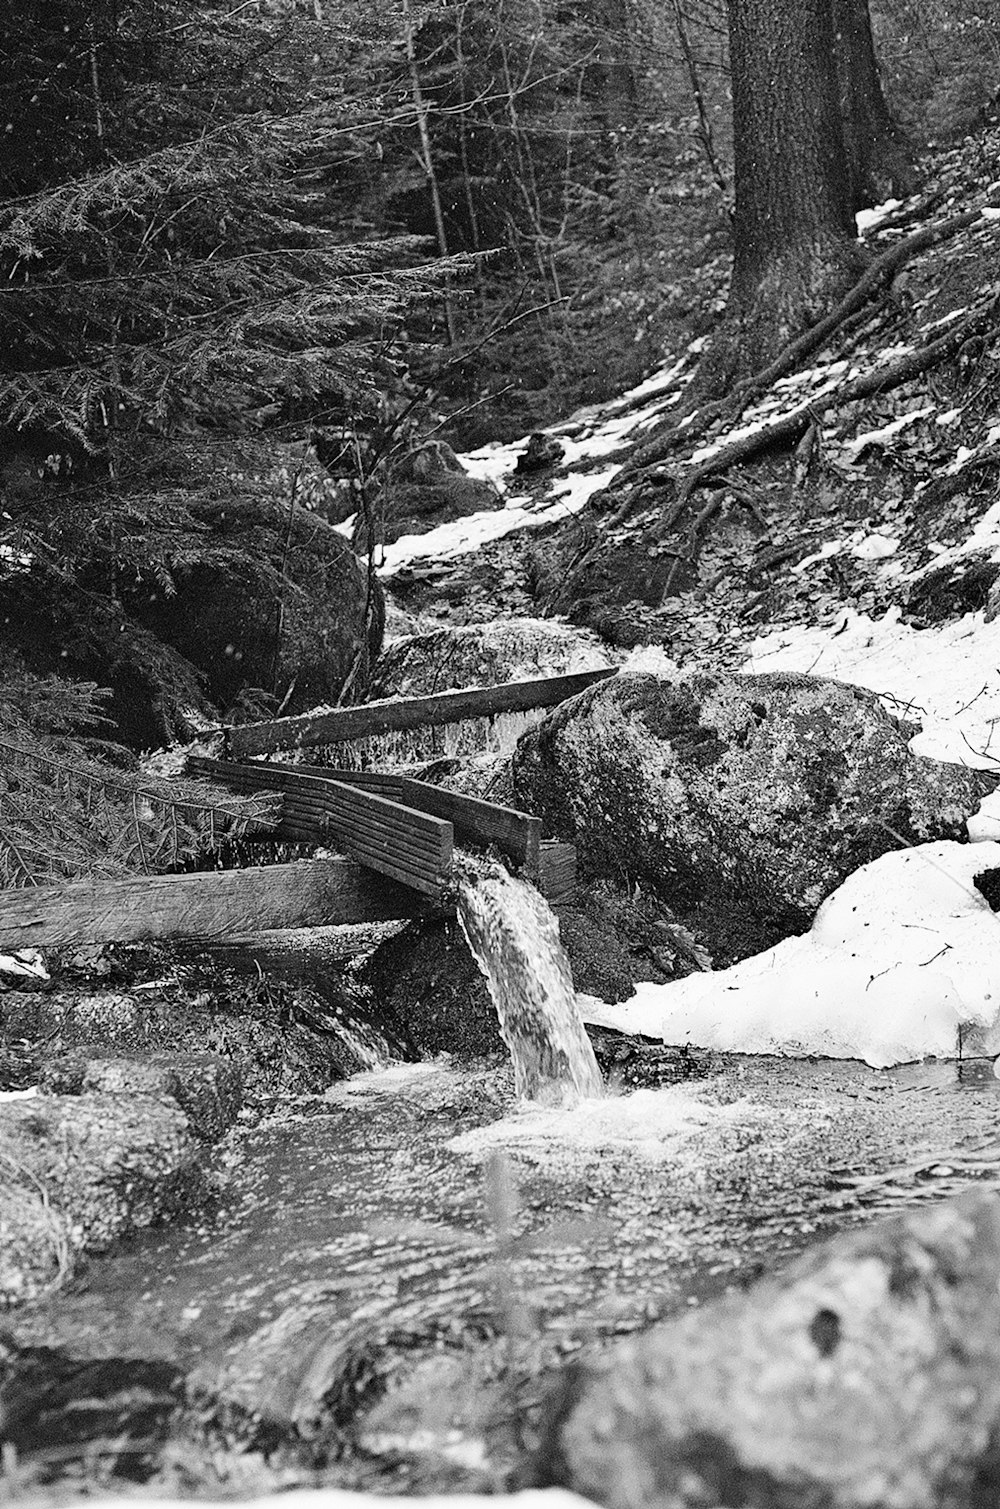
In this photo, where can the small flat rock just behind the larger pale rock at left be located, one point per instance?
(207, 1089)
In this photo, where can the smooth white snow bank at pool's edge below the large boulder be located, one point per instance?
(903, 963)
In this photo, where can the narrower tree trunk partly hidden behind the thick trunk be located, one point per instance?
(879, 155)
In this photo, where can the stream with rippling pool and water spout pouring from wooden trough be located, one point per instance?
(394, 1271)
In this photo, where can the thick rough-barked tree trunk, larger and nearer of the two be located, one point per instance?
(794, 224)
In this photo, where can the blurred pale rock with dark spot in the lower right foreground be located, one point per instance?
(865, 1375)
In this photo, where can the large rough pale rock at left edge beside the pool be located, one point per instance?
(78, 1173)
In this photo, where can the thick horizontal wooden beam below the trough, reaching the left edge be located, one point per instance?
(215, 905)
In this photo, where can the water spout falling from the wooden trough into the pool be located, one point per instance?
(515, 939)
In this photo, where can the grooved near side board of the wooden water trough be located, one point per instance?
(399, 841)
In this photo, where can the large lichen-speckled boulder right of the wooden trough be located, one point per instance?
(740, 801)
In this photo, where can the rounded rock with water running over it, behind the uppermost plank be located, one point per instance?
(483, 654)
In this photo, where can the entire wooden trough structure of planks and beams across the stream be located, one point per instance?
(396, 838)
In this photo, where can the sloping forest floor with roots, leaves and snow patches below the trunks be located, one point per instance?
(859, 479)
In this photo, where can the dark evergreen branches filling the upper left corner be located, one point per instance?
(179, 315)
